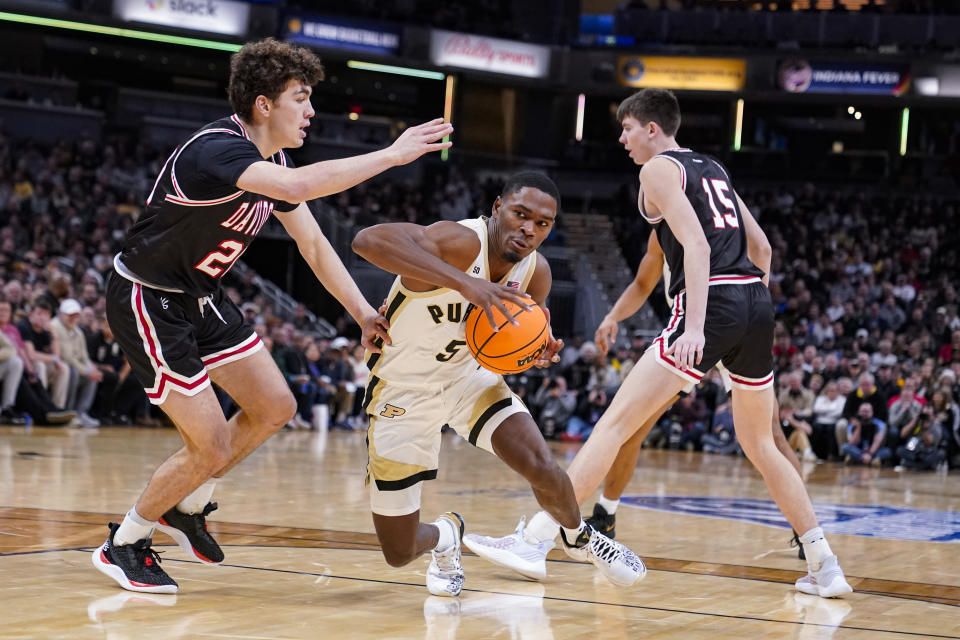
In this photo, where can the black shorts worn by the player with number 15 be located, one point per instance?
(738, 329)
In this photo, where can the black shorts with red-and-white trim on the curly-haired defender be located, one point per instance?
(172, 339)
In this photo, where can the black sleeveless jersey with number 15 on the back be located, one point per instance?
(707, 185)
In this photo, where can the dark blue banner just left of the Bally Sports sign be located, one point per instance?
(341, 33)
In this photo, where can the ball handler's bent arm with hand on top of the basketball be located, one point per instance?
(435, 256)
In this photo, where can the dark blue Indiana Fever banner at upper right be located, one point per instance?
(797, 75)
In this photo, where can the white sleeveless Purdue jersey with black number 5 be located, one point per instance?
(427, 327)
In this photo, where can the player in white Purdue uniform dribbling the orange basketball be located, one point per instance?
(425, 378)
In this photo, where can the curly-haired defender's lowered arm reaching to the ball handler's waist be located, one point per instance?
(329, 269)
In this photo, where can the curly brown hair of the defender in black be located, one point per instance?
(264, 68)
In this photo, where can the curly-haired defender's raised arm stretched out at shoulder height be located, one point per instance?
(333, 176)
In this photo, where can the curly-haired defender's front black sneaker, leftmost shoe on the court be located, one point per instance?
(135, 567)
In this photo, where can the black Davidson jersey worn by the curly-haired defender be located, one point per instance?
(197, 222)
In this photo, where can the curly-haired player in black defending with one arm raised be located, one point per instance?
(175, 324)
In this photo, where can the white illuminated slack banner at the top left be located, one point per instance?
(216, 16)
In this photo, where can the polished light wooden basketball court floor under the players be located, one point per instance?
(302, 560)
